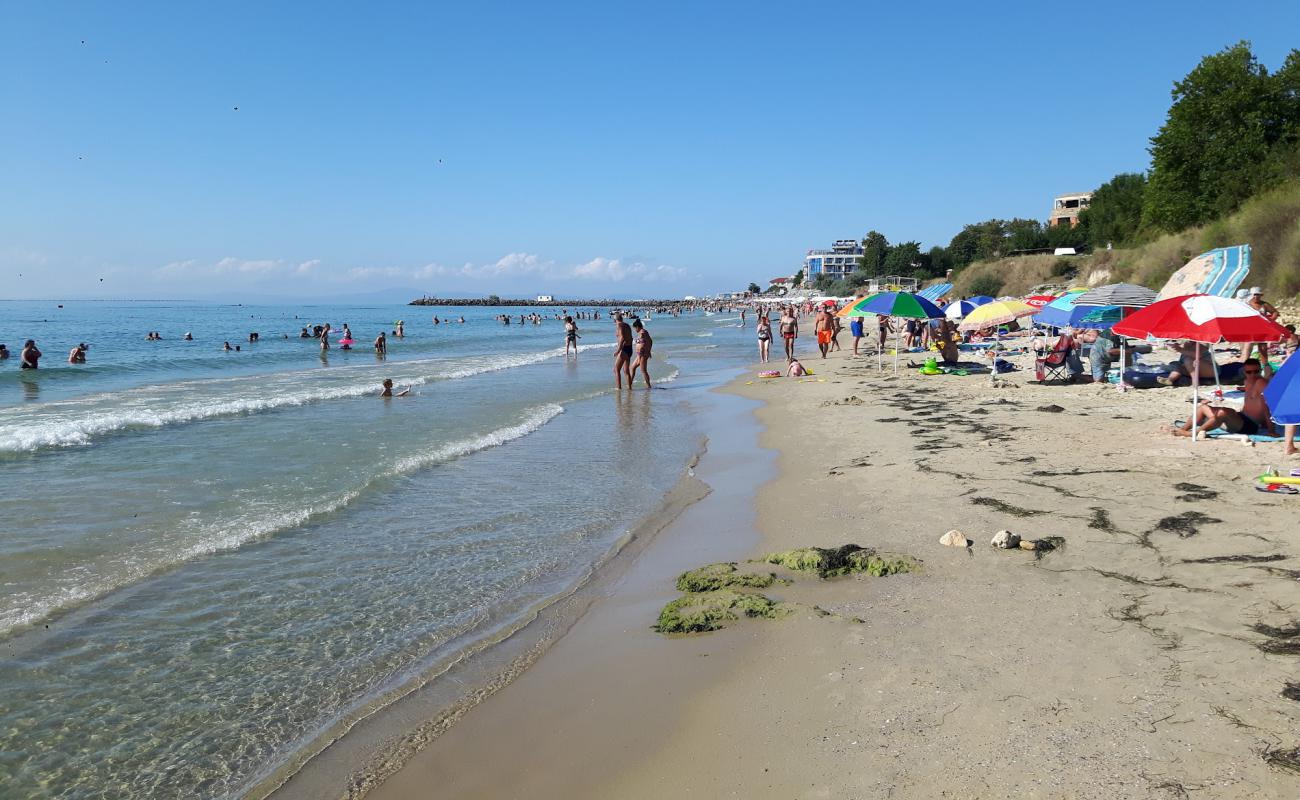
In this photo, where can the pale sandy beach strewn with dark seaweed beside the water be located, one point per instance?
(1146, 658)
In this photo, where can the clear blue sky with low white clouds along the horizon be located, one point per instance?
(577, 149)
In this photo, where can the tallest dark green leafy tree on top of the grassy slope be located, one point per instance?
(1227, 131)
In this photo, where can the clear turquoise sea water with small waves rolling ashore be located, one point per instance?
(210, 559)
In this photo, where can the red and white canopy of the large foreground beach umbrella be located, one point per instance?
(1202, 318)
